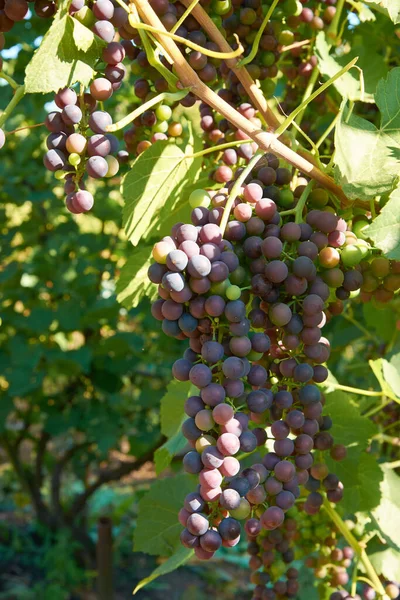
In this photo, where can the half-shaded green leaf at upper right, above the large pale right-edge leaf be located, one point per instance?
(348, 85)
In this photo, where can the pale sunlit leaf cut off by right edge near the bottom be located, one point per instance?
(387, 514)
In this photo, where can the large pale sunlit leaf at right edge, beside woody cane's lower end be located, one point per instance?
(367, 157)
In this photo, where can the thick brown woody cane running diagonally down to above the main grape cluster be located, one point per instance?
(265, 140)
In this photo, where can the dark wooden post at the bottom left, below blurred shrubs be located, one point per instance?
(104, 559)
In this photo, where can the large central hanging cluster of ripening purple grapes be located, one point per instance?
(252, 306)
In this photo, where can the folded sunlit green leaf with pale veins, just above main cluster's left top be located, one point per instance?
(155, 188)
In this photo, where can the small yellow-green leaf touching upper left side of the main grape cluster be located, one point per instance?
(133, 284)
